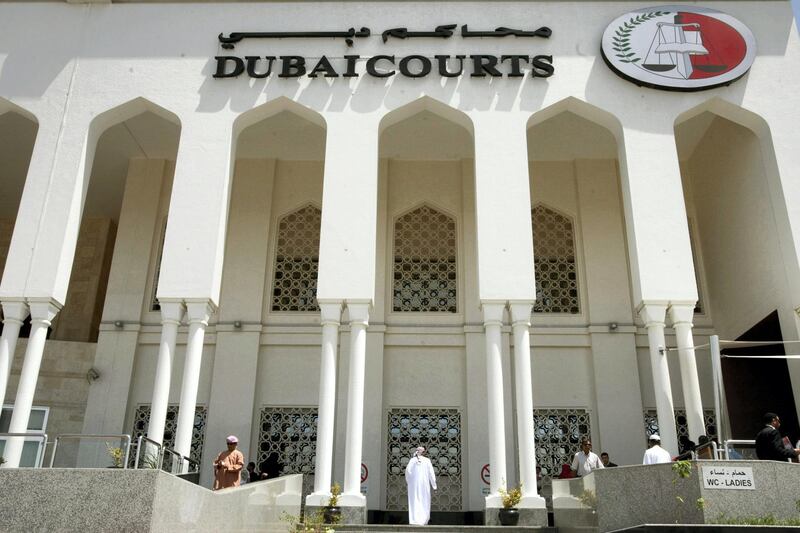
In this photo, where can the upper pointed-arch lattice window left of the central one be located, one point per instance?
(294, 285)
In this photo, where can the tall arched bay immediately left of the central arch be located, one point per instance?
(270, 277)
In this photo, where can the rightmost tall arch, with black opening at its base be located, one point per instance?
(736, 208)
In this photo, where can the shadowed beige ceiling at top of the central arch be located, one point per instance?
(426, 136)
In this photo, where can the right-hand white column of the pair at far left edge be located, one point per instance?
(42, 313)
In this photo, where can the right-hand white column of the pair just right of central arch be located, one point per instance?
(521, 320)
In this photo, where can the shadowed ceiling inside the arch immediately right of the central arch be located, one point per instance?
(568, 136)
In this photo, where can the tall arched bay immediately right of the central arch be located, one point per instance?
(582, 277)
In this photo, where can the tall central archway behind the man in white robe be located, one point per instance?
(425, 209)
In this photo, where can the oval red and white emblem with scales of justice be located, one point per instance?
(680, 48)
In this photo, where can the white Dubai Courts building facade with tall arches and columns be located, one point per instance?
(338, 264)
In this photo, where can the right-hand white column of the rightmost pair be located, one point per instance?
(682, 316)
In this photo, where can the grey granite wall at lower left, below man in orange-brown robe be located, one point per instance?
(97, 500)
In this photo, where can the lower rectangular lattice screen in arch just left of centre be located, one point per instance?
(291, 432)
